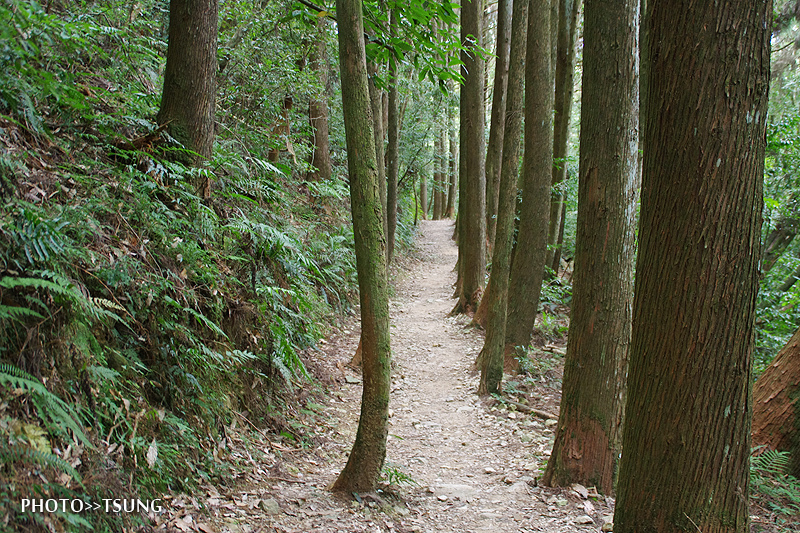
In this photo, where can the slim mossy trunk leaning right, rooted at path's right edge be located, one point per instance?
(492, 355)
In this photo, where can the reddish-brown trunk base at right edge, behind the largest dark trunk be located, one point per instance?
(776, 404)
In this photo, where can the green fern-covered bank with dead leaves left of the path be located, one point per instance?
(136, 316)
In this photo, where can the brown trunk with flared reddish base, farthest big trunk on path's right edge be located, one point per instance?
(472, 178)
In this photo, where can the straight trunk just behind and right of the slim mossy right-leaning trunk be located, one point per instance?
(528, 264)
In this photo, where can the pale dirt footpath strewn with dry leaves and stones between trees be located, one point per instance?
(455, 462)
